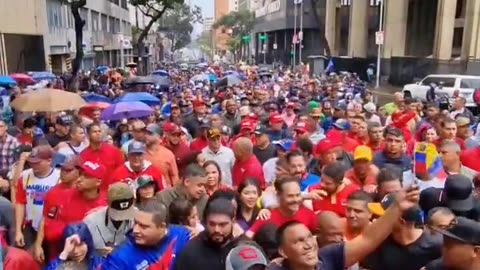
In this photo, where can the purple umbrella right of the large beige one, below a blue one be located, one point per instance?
(128, 110)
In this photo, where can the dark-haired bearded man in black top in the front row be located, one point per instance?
(210, 248)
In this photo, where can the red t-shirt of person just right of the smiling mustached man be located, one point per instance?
(335, 203)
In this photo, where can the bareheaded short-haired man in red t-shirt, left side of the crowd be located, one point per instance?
(101, 152)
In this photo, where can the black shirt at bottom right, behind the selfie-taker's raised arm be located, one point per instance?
(393, 256)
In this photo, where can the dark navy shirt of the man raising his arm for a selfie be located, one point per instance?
(332, 257)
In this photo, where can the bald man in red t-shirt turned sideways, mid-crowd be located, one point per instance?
(246, 164)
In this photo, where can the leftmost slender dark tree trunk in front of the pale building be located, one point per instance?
(79, 23)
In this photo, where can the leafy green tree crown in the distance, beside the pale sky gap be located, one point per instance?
(177, 24)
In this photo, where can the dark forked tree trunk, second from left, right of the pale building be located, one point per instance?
(153, 10)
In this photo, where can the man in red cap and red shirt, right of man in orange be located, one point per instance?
(173, 142)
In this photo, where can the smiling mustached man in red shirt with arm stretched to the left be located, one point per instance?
(289, 207)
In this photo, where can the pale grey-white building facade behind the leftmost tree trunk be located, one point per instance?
(107, 29)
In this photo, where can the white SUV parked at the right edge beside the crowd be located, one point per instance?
(465, 84)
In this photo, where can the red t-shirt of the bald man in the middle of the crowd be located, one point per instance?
(248, 168)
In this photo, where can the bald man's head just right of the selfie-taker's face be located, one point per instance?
(330, 228)
